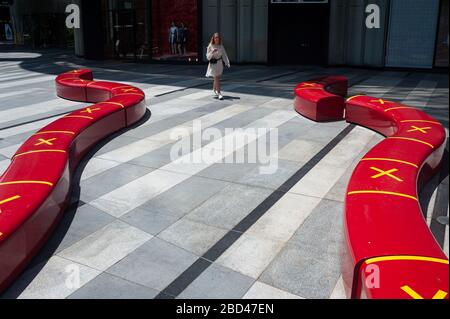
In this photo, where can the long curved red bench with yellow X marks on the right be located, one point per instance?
(384, 224)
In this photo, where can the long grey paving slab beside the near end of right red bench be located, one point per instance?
(311, 259)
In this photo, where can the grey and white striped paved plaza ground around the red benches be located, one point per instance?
(141, 226)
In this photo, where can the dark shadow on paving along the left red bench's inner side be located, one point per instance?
(51, 245)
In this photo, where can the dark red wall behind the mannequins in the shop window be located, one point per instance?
(166, 11)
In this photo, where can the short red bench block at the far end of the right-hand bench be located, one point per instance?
(322, 99)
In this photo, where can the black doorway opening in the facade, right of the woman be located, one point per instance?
(298, 33)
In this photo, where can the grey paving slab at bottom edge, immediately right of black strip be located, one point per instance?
(218, 282)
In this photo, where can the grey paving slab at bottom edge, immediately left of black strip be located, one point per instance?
(106, 286)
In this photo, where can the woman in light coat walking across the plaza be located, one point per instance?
(217, 57)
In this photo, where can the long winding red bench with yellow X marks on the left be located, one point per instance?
(35, 188)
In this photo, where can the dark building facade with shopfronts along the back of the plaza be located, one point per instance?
(410, 34)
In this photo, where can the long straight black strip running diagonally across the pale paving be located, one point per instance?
(179, 284)
